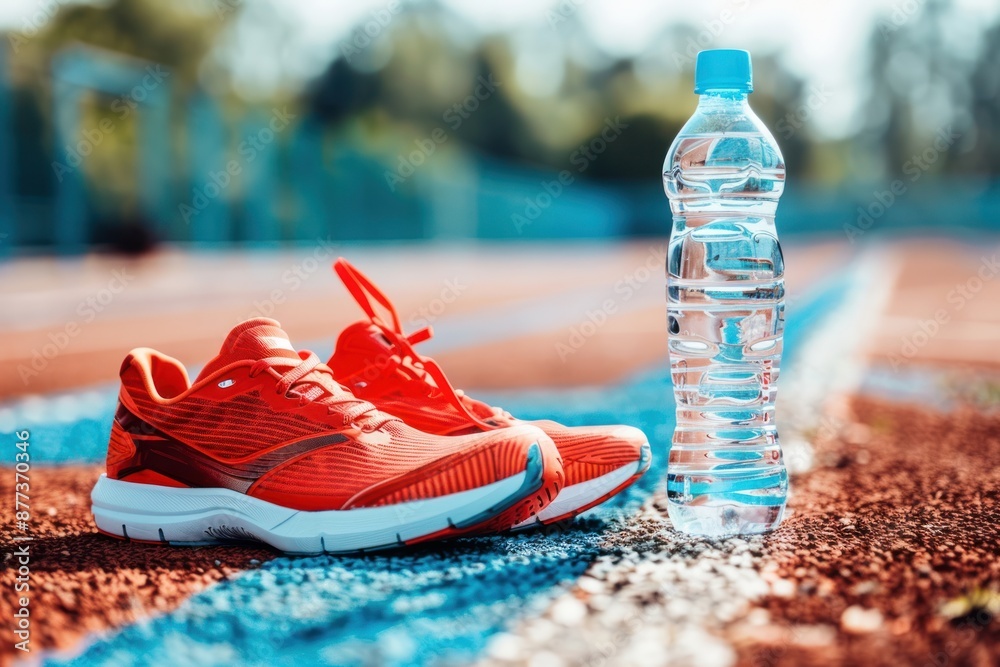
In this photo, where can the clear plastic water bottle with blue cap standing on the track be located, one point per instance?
(726, 310)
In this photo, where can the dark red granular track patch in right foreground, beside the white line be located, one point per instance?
(889, 541)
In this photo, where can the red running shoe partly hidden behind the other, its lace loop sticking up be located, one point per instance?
(377, 361)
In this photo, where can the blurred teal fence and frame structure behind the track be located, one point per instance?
(304, 181)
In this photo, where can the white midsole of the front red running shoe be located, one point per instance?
(184, 515)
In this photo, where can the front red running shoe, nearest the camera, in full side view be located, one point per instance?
(266, 446)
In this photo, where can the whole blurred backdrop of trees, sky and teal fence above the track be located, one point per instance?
(124, 123)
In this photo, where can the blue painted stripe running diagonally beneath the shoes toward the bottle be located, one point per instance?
(437, 604)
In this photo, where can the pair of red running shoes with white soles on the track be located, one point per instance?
(373, 449)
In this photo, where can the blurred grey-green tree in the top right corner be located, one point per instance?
(933, 74)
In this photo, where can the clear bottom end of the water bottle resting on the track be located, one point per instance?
(725, 519)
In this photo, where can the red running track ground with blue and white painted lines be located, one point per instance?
(513, 321)
